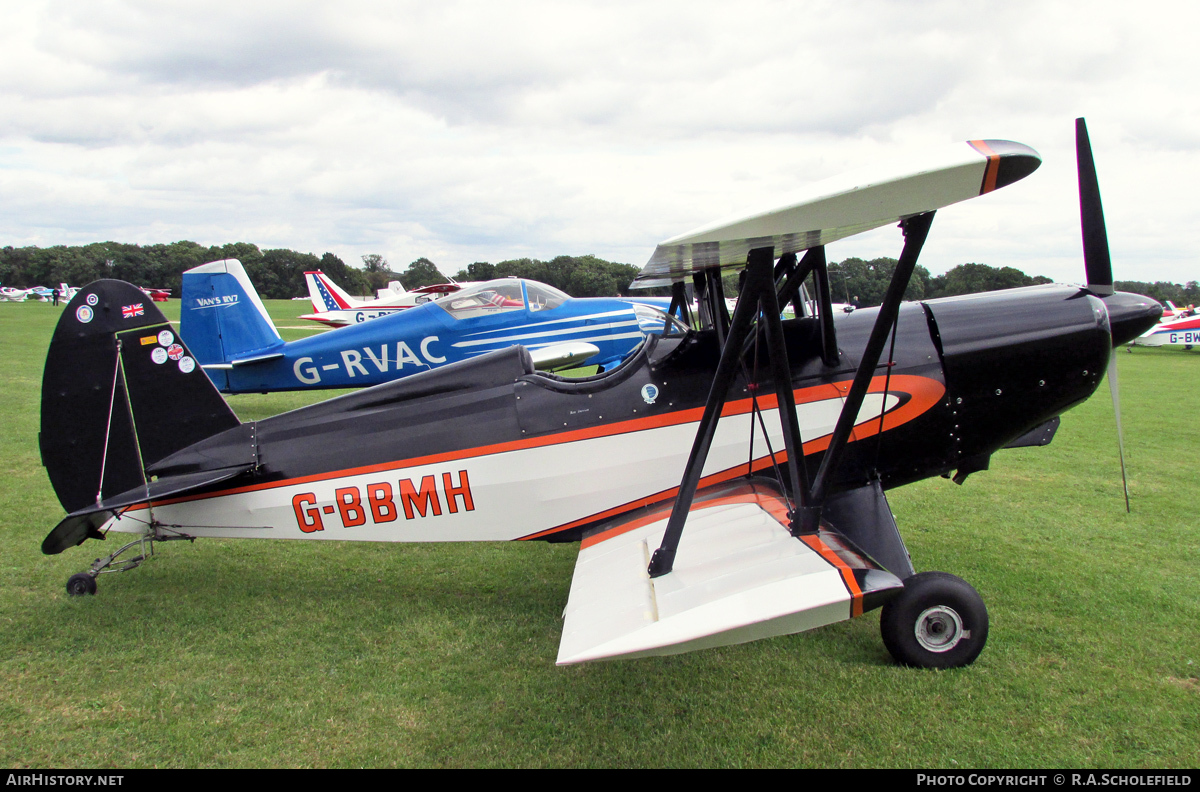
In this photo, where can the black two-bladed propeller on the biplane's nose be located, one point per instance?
(1097, 263)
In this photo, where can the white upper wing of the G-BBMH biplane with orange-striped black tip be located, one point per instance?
(843, 207)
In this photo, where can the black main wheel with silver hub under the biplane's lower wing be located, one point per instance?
(939, 621)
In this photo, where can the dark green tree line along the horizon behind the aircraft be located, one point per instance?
(279, 273)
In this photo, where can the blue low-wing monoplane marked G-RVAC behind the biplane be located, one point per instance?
(229, 331)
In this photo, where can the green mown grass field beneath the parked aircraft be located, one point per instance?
(229, 653)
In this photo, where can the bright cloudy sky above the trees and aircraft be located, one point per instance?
(484, 131)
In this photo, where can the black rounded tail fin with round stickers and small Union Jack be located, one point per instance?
(119, 393)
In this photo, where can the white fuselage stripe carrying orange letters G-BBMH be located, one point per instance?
(509, 495)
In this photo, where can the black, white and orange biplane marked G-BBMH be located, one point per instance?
(724, 484)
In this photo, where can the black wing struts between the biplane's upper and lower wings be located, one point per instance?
(760, 301)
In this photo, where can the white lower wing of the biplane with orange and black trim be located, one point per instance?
(739, 577)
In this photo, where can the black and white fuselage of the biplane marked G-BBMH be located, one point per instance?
(491, 451)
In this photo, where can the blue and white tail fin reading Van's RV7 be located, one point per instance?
(223, 319)
